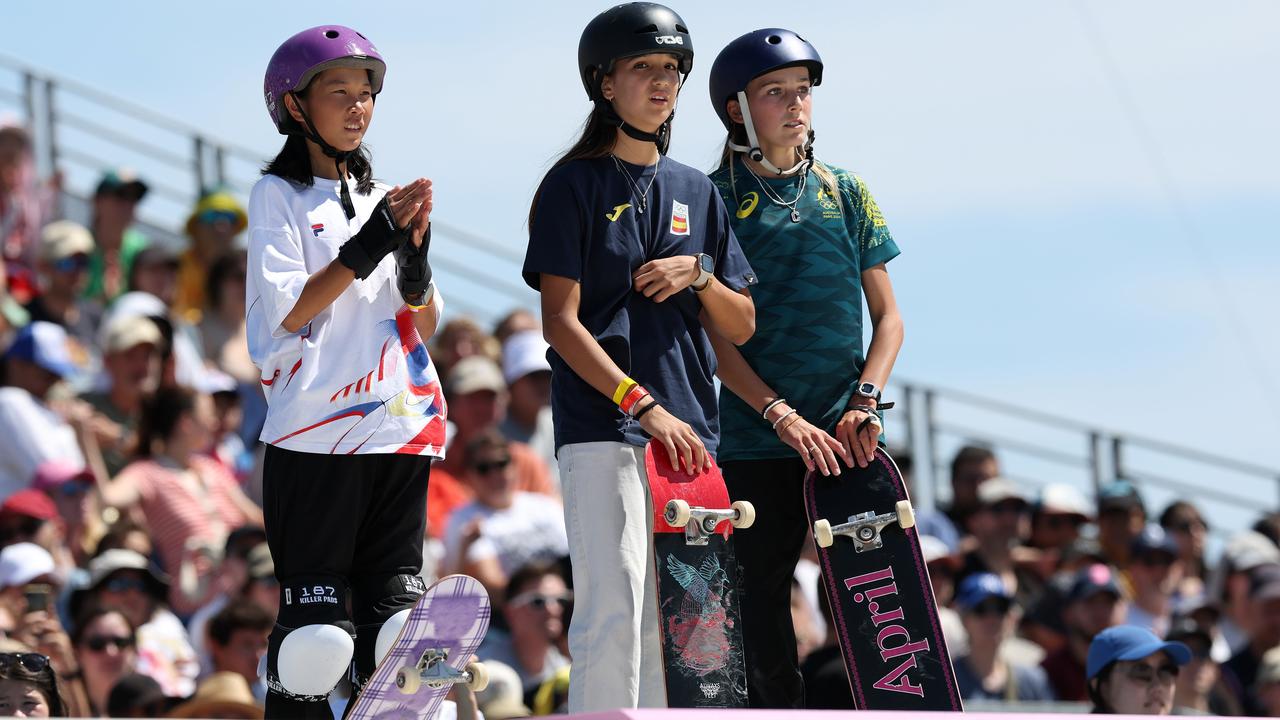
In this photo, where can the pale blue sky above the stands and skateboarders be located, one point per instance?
(1085, 193)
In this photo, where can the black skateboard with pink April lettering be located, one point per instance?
(881, 599)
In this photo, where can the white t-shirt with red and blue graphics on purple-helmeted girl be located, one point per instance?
(358, 379)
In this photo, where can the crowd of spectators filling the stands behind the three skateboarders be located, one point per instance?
(135, 577)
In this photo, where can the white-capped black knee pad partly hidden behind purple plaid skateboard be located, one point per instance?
(381, 610)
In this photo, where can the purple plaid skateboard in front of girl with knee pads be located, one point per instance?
(432, 653)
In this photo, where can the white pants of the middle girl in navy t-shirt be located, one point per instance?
(614, 636)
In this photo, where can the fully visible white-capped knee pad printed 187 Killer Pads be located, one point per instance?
(313, 642)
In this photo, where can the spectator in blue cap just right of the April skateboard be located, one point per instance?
(990, 616)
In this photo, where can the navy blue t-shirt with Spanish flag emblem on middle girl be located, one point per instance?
(588, 229)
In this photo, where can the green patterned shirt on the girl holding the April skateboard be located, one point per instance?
(808, 343)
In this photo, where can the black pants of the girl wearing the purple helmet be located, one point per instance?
(355, 522)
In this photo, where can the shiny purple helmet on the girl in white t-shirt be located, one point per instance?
(309, 53)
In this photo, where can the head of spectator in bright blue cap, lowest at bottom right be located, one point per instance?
(1132, 672)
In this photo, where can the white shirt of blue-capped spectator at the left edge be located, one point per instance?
(30, 435)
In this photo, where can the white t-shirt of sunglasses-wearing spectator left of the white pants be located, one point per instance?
(533, 528)
